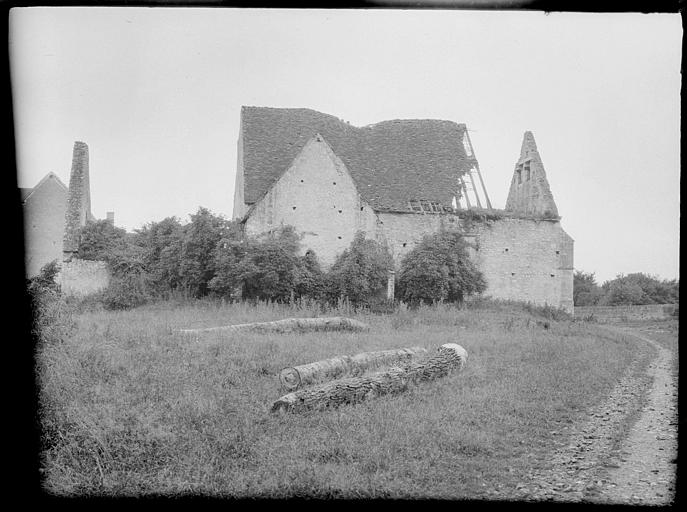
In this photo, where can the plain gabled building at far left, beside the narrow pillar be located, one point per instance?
(44, 209)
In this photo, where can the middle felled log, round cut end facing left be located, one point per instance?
(296, 377)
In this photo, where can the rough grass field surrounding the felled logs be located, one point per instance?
(129, 408)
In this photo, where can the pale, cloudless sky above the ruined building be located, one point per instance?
(156, 94)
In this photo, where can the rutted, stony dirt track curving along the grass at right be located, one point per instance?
(626, 452)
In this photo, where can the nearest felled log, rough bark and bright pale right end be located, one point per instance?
(356, 389)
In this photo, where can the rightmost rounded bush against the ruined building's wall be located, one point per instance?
(439, 269)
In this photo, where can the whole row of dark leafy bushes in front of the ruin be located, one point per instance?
(212, 256)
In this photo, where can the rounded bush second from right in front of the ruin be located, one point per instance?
(360, 273)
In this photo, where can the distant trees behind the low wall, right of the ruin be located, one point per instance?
(631, 289)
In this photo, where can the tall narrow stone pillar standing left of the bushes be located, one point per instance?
(78, 201)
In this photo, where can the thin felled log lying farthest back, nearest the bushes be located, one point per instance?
(336, 323)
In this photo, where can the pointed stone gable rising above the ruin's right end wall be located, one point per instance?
(529, 189)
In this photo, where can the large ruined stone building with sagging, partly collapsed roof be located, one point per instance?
(398, 181)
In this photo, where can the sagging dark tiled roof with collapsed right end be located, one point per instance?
(391, 162)
